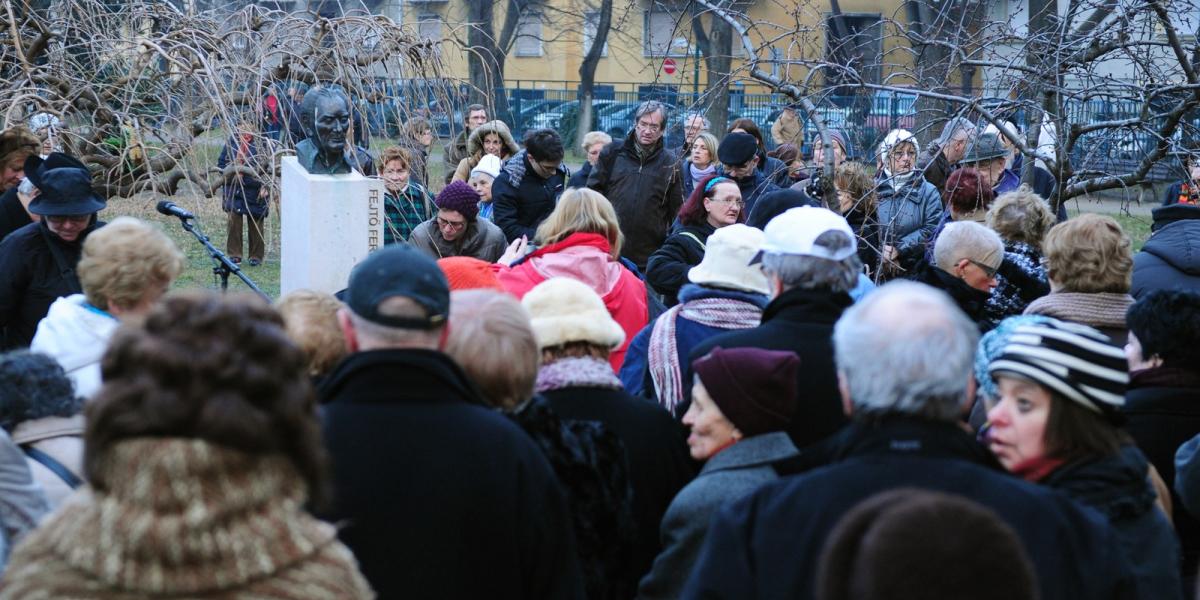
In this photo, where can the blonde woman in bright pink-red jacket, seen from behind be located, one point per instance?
(581, 239)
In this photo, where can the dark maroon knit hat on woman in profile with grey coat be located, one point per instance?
(754, 388)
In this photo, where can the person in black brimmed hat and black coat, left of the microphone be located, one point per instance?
(38, 262)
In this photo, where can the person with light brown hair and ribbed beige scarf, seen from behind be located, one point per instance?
(1090, 268)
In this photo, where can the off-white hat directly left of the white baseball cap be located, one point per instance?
(727, 263)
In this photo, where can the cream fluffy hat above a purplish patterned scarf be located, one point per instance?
(565, 310)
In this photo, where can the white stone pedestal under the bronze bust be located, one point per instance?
(328, 224)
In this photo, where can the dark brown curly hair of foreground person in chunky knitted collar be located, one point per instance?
(209, 368)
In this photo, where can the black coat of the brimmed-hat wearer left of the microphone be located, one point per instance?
(32, 279)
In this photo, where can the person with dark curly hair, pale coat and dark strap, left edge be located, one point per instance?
(40, 410)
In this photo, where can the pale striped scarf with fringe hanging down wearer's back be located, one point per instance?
(663, 353)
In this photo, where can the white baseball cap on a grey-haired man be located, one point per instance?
(796, 233)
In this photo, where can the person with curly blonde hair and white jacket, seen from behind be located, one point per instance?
(125, 268)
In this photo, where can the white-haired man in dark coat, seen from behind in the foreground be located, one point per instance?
(904, 370)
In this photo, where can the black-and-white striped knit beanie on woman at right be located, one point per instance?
(1072, 361)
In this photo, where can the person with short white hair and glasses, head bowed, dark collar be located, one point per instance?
(967, 257)
